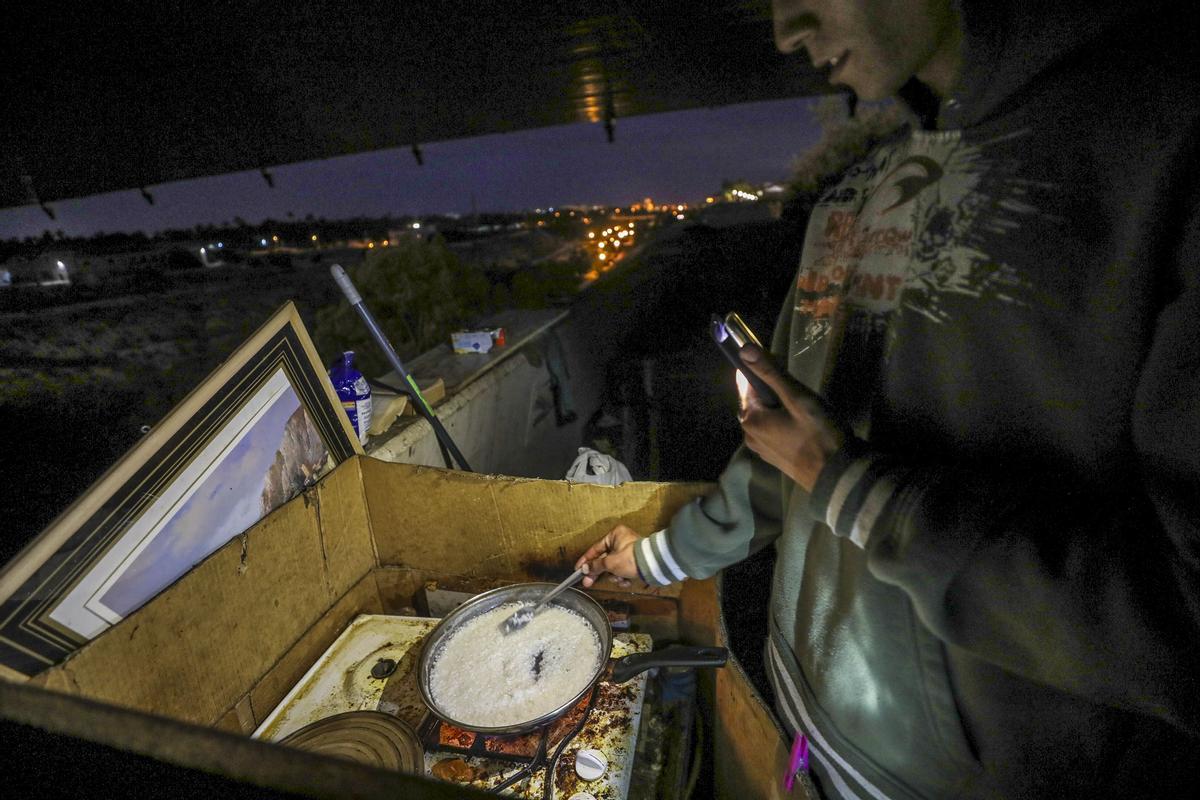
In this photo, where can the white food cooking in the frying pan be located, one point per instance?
(487, 679)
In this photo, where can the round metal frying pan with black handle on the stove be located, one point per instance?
(573, 600)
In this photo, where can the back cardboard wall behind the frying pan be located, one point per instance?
(465, 525)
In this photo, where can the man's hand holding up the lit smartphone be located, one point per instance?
(797, 437)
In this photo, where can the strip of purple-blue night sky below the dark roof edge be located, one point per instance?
(677, 158)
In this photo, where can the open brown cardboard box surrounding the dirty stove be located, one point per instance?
(185, 679)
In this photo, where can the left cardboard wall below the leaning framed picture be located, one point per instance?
(200, 647)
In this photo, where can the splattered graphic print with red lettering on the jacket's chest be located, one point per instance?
(904, 230)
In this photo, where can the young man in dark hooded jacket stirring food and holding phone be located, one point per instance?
(985, 484)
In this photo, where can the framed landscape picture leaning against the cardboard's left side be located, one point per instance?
(263, 428)
